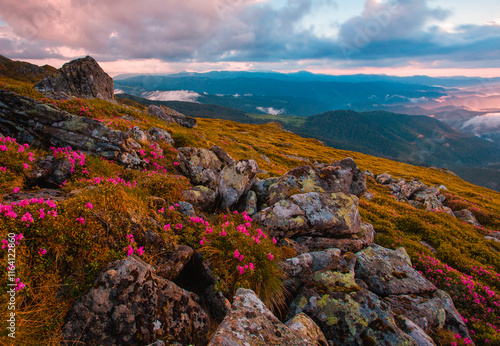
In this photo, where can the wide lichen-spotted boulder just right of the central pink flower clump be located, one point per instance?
(314, 214)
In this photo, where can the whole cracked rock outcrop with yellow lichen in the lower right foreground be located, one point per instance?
(373, 297)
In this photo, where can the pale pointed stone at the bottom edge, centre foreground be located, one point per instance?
(250, 322)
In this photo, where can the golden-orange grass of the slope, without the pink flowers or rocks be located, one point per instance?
(74, 259)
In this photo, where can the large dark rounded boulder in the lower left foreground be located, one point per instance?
(130, 304)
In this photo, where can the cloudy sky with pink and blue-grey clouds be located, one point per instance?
(399, 37)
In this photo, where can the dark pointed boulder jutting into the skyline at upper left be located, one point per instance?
(79, 78)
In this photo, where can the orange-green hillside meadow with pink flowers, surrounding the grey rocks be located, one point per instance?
(63, 245)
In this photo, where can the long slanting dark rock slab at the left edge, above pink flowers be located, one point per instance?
(36, 123)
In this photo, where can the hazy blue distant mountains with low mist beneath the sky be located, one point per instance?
(304, 94)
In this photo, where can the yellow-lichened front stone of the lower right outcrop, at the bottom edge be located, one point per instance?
(348, 314)
